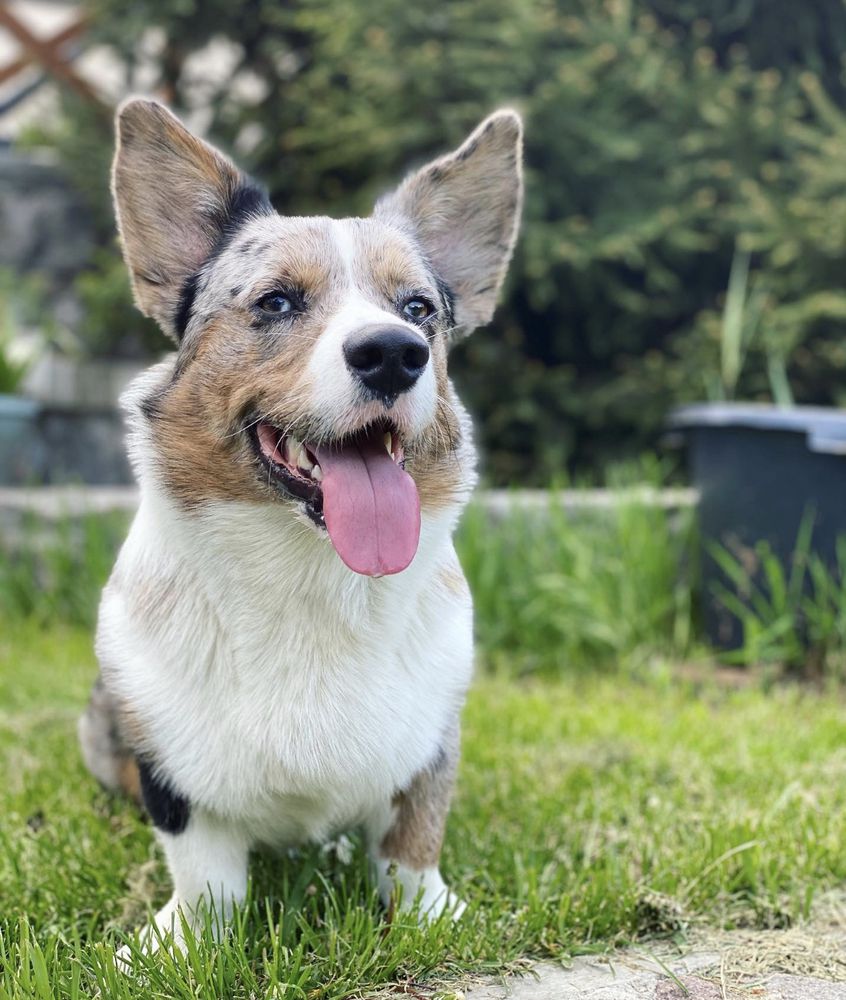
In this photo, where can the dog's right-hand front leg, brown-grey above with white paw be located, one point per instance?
(406, 834)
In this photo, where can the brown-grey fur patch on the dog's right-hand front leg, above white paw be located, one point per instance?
(416, 837)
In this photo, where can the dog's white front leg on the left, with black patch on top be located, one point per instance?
(207, 859)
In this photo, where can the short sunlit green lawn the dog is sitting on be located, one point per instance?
(589, 812)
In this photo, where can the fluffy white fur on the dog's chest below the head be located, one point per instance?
(272, 685)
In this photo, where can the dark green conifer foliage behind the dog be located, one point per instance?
(662, 139)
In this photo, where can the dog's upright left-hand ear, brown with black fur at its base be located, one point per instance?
(175, 198)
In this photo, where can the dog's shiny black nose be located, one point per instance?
(388, 360)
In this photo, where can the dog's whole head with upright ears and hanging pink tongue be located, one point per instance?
(311, 364)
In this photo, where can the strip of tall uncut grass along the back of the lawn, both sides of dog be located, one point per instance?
(555, 590)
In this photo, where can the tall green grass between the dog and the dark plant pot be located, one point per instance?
(556, 591)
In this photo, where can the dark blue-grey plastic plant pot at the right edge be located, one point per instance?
(759, 470)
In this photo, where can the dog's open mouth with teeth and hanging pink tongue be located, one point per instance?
(356, 487)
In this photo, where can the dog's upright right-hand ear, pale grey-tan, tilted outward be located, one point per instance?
(464, 210)
